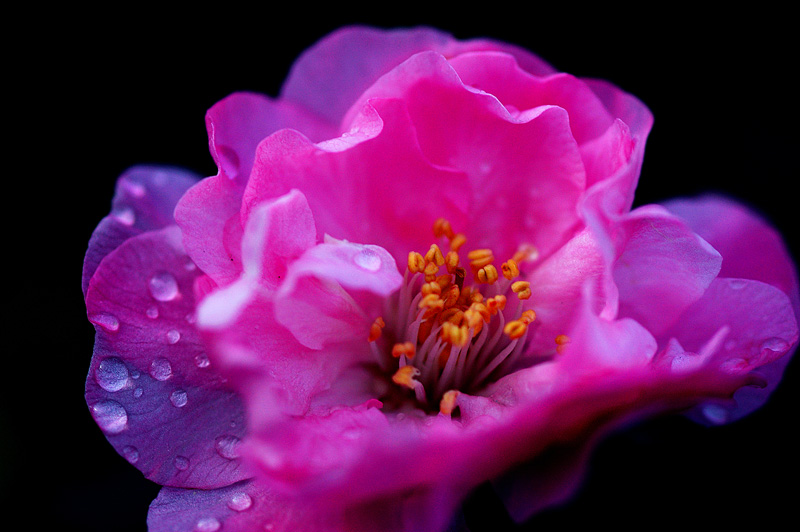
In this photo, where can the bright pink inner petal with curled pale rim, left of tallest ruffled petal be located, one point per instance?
(366, 170)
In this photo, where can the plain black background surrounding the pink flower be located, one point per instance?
(94, 93)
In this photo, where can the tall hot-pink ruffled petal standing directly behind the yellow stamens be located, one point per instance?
(523, 167)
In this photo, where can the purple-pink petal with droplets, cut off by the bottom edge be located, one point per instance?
(242, 507)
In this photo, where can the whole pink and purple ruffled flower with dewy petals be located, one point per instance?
(416, 271)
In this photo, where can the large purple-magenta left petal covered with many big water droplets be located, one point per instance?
(150, 385)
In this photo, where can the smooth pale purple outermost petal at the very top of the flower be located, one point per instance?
(331, 75)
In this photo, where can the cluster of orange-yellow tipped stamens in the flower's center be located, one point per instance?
(440, 335)
